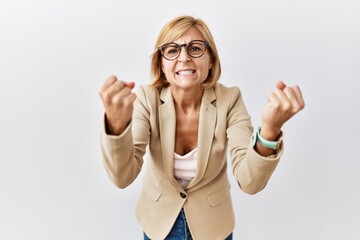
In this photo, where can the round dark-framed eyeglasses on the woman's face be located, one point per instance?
(195, 48)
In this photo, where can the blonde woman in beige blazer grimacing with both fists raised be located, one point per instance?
(187, 119)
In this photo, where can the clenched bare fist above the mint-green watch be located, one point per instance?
(283, 103)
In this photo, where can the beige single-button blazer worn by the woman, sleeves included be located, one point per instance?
(224, 123)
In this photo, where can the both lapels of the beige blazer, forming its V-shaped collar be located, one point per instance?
(167, 124)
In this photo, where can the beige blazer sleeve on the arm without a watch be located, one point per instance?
(123, 155)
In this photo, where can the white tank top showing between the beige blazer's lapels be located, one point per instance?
(185, 167)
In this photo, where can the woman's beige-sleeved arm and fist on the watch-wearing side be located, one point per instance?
(253, 166)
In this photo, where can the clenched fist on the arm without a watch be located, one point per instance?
(118, 101)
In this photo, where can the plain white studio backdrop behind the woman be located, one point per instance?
(55, 55)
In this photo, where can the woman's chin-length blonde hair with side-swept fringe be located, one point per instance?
(173, 30)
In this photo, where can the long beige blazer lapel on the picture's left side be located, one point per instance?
(167, 119)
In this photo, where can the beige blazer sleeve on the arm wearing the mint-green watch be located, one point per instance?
(251, 170)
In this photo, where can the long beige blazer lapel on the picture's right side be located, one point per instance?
(207, 122)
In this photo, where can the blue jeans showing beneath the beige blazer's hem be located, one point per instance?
(180, 230)
